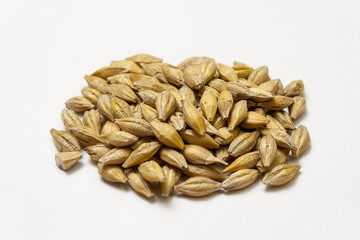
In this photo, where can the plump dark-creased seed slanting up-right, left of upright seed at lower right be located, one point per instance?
(243, 143)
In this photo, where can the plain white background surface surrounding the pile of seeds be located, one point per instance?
(47, 46)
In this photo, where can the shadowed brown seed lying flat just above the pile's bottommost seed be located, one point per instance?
(204, 171)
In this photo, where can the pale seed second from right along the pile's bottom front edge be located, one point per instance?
(240, 179)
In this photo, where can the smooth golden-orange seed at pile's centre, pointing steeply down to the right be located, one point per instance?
(193, 117)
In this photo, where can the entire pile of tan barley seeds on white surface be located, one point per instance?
(145, 121)
